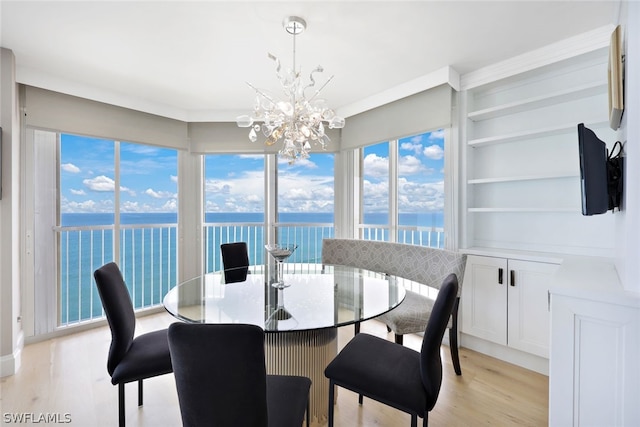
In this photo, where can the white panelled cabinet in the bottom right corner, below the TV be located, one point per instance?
(594, 375)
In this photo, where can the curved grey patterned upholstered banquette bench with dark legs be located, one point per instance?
(424, 265)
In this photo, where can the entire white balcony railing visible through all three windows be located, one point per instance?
(148, 255)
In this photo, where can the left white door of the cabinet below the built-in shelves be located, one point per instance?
(484, 298)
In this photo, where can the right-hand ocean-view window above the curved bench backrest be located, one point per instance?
(403, 190)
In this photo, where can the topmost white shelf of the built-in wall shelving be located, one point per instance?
(538, 101)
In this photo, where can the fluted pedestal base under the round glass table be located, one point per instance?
(305, 353)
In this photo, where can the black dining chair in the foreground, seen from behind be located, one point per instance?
(221, 379)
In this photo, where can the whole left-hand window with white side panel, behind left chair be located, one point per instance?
(105, 200)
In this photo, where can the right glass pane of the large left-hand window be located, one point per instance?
(147, 192)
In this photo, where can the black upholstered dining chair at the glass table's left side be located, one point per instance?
(129, 359)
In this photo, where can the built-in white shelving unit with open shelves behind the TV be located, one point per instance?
(522, 169)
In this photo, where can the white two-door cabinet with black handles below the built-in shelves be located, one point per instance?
(505, 301)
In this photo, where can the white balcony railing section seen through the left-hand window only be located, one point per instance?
(147, 261)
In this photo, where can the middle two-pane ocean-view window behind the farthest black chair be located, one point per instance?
(236, 207)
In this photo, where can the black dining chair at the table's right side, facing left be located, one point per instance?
(393, 374)
